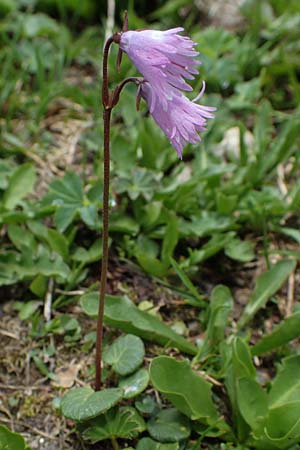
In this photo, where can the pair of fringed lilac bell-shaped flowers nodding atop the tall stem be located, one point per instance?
(166, 59)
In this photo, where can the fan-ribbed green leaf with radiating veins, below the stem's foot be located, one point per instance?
(124, 422)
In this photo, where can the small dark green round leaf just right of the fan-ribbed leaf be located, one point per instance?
(169, 426)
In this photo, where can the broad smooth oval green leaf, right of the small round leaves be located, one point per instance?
(190, 393)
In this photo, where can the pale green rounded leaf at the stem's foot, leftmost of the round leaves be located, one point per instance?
(84, 403)
